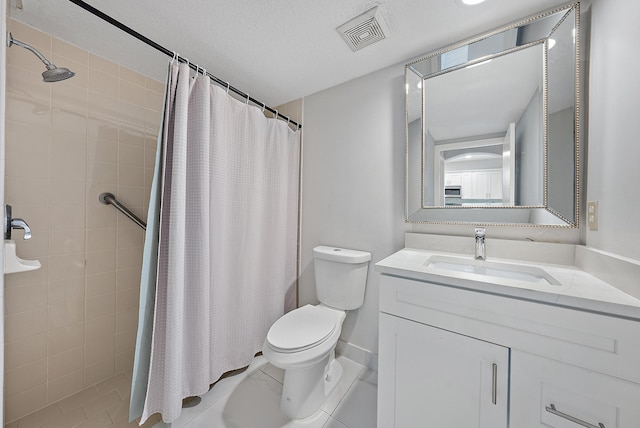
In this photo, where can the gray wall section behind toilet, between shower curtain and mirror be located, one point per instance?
(353, 183)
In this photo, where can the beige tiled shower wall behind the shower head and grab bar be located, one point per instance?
(72, 323)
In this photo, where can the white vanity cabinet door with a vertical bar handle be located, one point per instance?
(429, 377)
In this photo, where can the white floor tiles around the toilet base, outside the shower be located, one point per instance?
(252, 400)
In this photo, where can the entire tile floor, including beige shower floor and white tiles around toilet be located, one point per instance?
(257, 389)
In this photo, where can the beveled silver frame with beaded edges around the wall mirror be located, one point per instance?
(498, 215)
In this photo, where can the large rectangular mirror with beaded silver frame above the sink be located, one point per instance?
(492, 126)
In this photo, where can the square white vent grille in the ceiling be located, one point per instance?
(364, 30)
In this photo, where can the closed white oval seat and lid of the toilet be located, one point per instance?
(302, 329)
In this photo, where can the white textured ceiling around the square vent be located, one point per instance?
(276, 51)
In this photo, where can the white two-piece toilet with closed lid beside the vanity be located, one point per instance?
(303, 341)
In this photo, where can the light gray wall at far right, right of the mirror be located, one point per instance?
(614, 126)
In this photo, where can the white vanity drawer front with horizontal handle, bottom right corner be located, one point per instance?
(546, 393)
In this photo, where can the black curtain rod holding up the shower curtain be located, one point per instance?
(167, 52)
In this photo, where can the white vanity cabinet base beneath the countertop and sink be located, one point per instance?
(555, 366)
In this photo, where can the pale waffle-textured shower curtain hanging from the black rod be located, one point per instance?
(220, 263)
